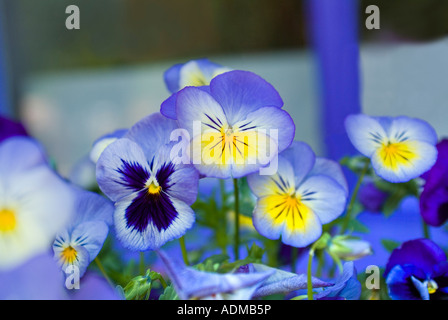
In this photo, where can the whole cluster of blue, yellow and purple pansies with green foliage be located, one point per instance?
(219, 170)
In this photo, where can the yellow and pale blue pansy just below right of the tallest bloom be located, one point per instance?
(306, 193)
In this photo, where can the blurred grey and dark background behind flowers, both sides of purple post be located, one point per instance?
(71, 86)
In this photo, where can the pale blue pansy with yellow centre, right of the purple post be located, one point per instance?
(400, 148)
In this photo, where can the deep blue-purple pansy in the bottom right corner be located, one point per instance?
(417, 270)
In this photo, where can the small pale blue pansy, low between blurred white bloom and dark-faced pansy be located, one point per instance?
(79, 243)
